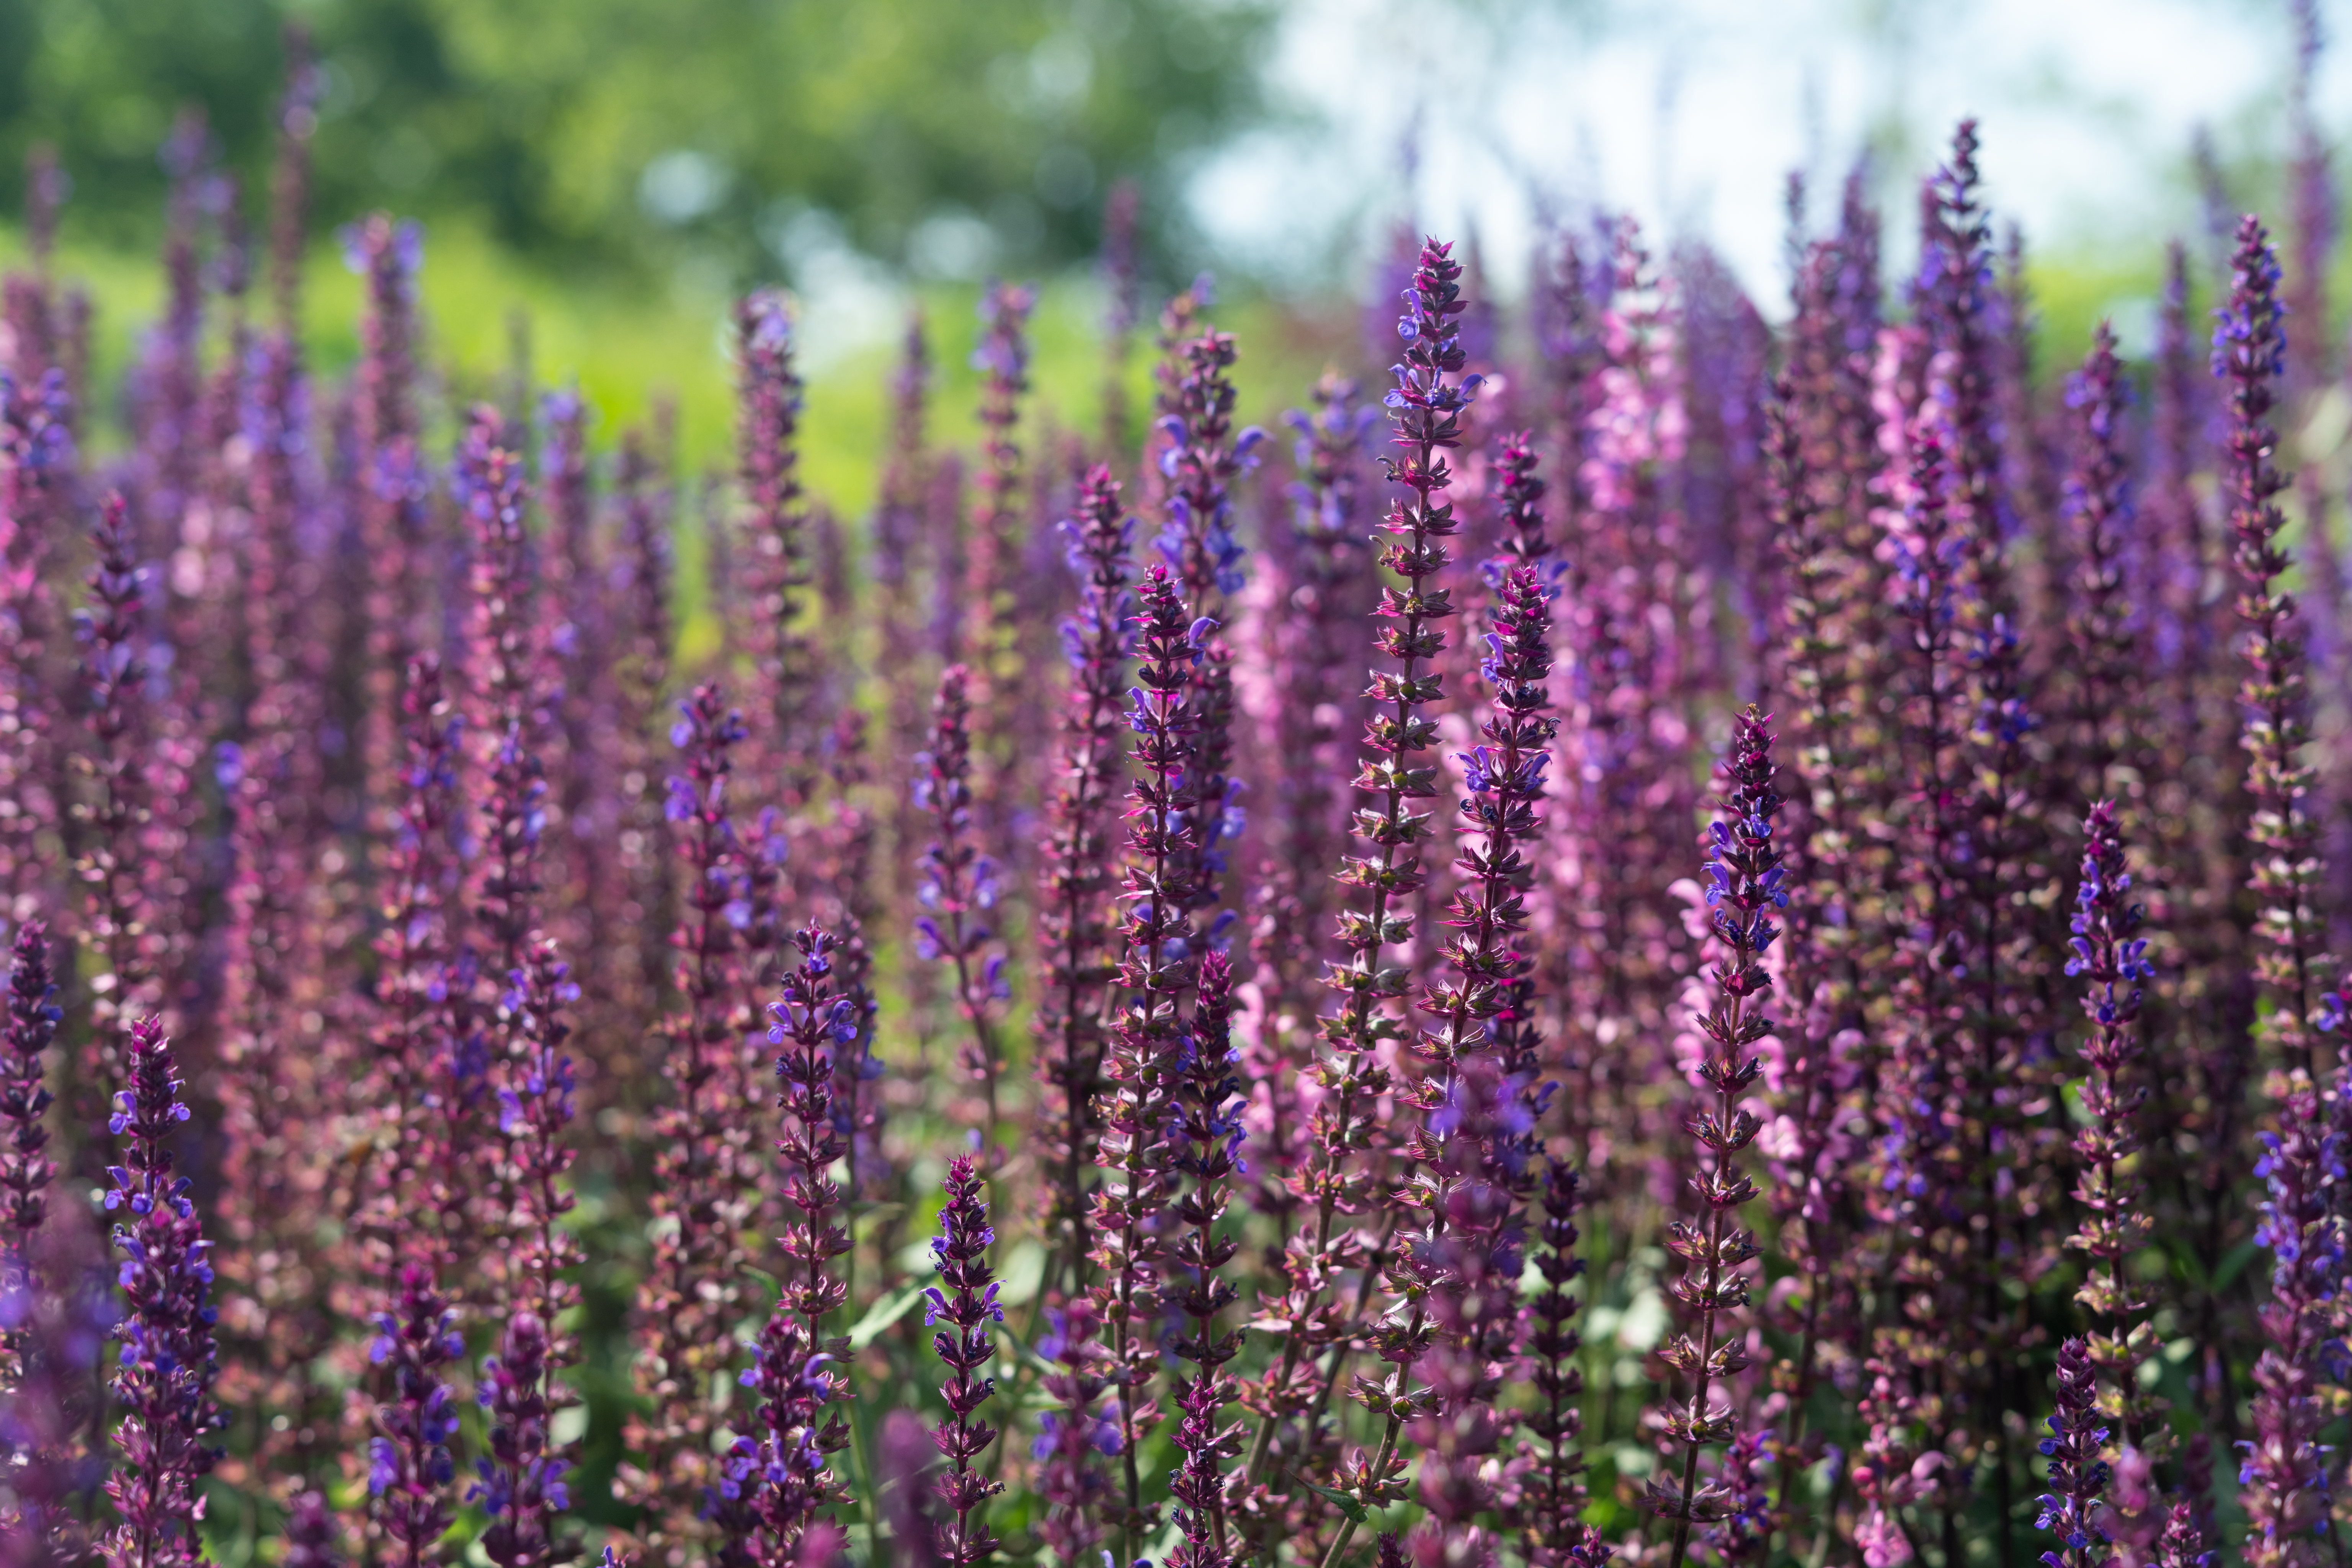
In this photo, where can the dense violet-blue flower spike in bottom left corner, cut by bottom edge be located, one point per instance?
(166, 1374)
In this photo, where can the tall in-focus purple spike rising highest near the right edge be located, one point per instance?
(2250, 354)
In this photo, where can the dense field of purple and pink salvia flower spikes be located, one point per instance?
(1784, 1021)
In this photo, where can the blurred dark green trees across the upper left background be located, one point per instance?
(730, 138)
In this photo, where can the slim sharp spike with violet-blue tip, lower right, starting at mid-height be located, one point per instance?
(2111, 958)
